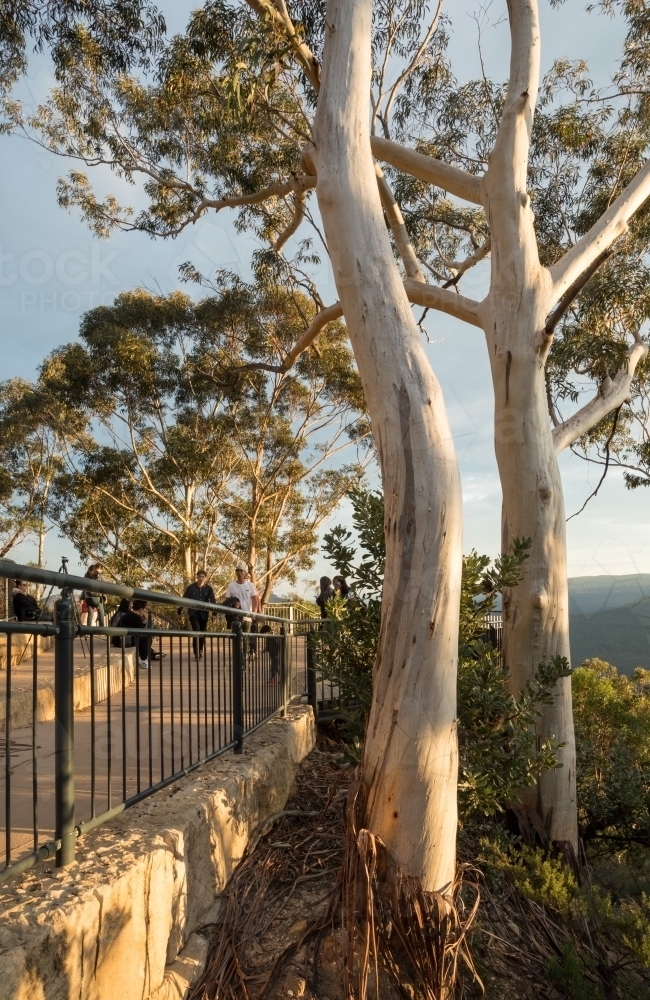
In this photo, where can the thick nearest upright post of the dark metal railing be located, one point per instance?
(64, 728)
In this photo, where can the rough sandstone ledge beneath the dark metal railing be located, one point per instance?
(113, 925)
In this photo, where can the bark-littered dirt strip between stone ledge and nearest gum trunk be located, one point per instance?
(264, 947)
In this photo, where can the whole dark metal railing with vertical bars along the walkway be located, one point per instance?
(111, 715)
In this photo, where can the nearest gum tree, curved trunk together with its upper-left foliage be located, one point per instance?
(229, 123)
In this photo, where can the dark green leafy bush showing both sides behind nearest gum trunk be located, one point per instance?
(497, 747)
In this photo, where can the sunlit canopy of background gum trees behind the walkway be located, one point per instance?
(185, 455)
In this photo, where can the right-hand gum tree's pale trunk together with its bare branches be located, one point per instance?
(519, 315)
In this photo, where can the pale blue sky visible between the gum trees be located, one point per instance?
(53, 270)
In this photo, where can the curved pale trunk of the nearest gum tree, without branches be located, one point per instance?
(410, 762)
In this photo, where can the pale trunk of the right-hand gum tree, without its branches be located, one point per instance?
(536, 620)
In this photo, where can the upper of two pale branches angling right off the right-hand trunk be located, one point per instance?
(602, 234)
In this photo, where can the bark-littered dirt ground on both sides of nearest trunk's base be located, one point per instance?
(280, 932)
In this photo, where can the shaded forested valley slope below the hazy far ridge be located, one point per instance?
(619, 635)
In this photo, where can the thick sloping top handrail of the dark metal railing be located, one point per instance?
(35, 575)
